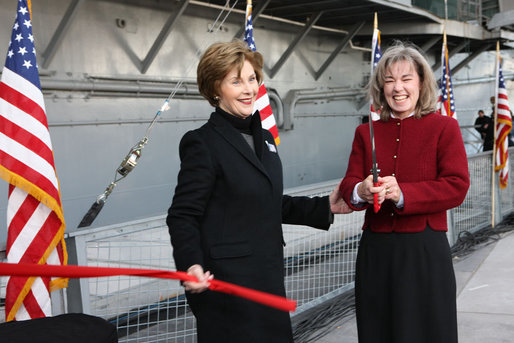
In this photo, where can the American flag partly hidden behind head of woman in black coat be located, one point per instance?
(262, 102)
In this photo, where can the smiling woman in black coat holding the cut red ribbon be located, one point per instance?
(228, 205)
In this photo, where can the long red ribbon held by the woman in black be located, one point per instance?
(73, 272)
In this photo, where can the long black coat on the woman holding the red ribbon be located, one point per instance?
(226, 215)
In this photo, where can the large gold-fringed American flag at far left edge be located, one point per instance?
(34, 212)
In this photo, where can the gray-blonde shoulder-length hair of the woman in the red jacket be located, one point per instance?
(428, 88)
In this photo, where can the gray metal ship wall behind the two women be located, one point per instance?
(93, 130)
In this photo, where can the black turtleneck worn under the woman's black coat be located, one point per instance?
(249, 126)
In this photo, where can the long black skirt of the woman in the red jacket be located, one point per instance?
(405, 288)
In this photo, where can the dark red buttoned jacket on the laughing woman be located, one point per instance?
(428, 159)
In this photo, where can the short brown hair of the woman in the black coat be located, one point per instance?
(218, 60)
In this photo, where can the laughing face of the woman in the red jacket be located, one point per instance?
(401, 88)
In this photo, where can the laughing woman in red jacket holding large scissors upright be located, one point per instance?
(405, 283)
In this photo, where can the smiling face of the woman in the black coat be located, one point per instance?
(238, 92)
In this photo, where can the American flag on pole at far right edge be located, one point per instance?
(503, 128)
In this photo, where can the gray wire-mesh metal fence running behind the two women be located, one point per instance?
(318, 264)
